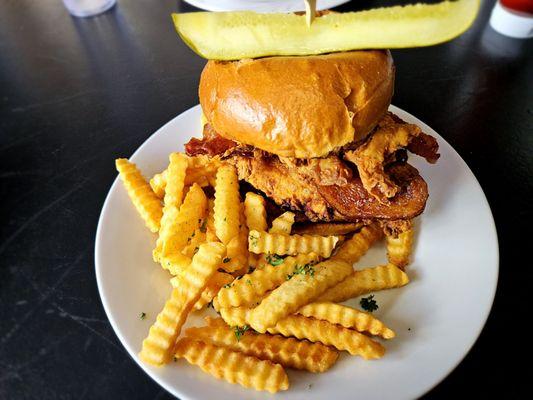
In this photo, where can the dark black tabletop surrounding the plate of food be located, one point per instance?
(76, 94)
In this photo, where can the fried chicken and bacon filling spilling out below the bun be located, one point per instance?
(365, 180)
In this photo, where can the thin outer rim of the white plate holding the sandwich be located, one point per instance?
(175, 392)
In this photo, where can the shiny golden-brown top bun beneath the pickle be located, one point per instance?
(300, 107)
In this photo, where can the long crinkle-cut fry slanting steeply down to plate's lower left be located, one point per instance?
(157, 347)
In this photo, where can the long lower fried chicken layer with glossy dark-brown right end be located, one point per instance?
(331, 202)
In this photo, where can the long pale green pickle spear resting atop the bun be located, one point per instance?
(236, 35)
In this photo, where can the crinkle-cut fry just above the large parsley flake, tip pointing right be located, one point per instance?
(366, 281)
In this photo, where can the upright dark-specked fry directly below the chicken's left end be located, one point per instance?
(227, 204)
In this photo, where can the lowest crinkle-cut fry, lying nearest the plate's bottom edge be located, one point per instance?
(232, 366)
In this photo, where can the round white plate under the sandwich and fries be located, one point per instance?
(437, 317)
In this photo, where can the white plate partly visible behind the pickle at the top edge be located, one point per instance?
(261, 5)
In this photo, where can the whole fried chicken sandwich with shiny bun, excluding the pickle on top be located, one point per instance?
(314, 135)
